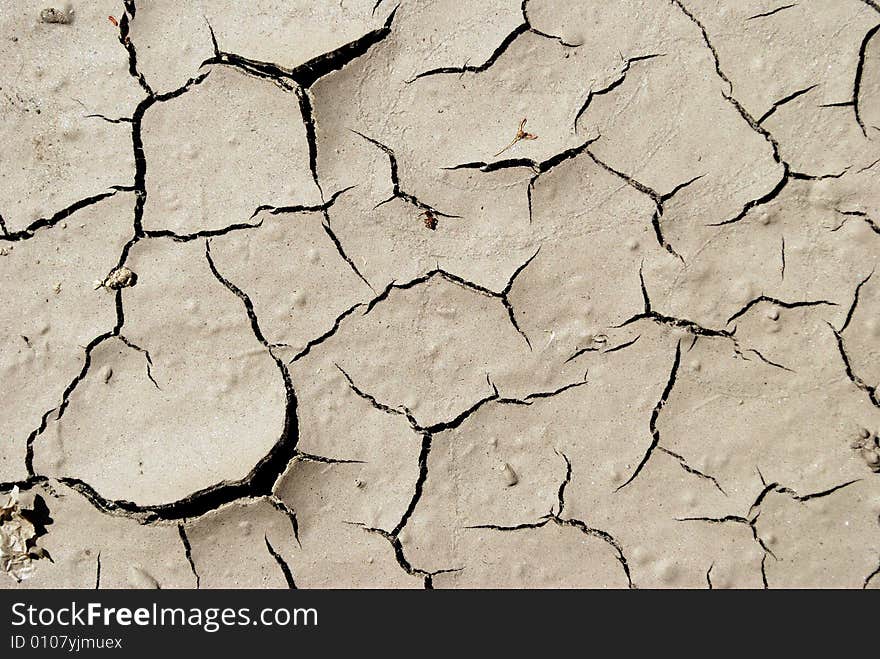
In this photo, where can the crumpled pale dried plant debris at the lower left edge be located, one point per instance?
(19, 531)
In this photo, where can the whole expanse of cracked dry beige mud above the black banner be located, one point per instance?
(274, 315)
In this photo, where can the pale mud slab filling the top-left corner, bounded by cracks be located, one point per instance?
(63, 88)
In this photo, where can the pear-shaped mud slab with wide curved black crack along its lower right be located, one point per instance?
(185, 338)
